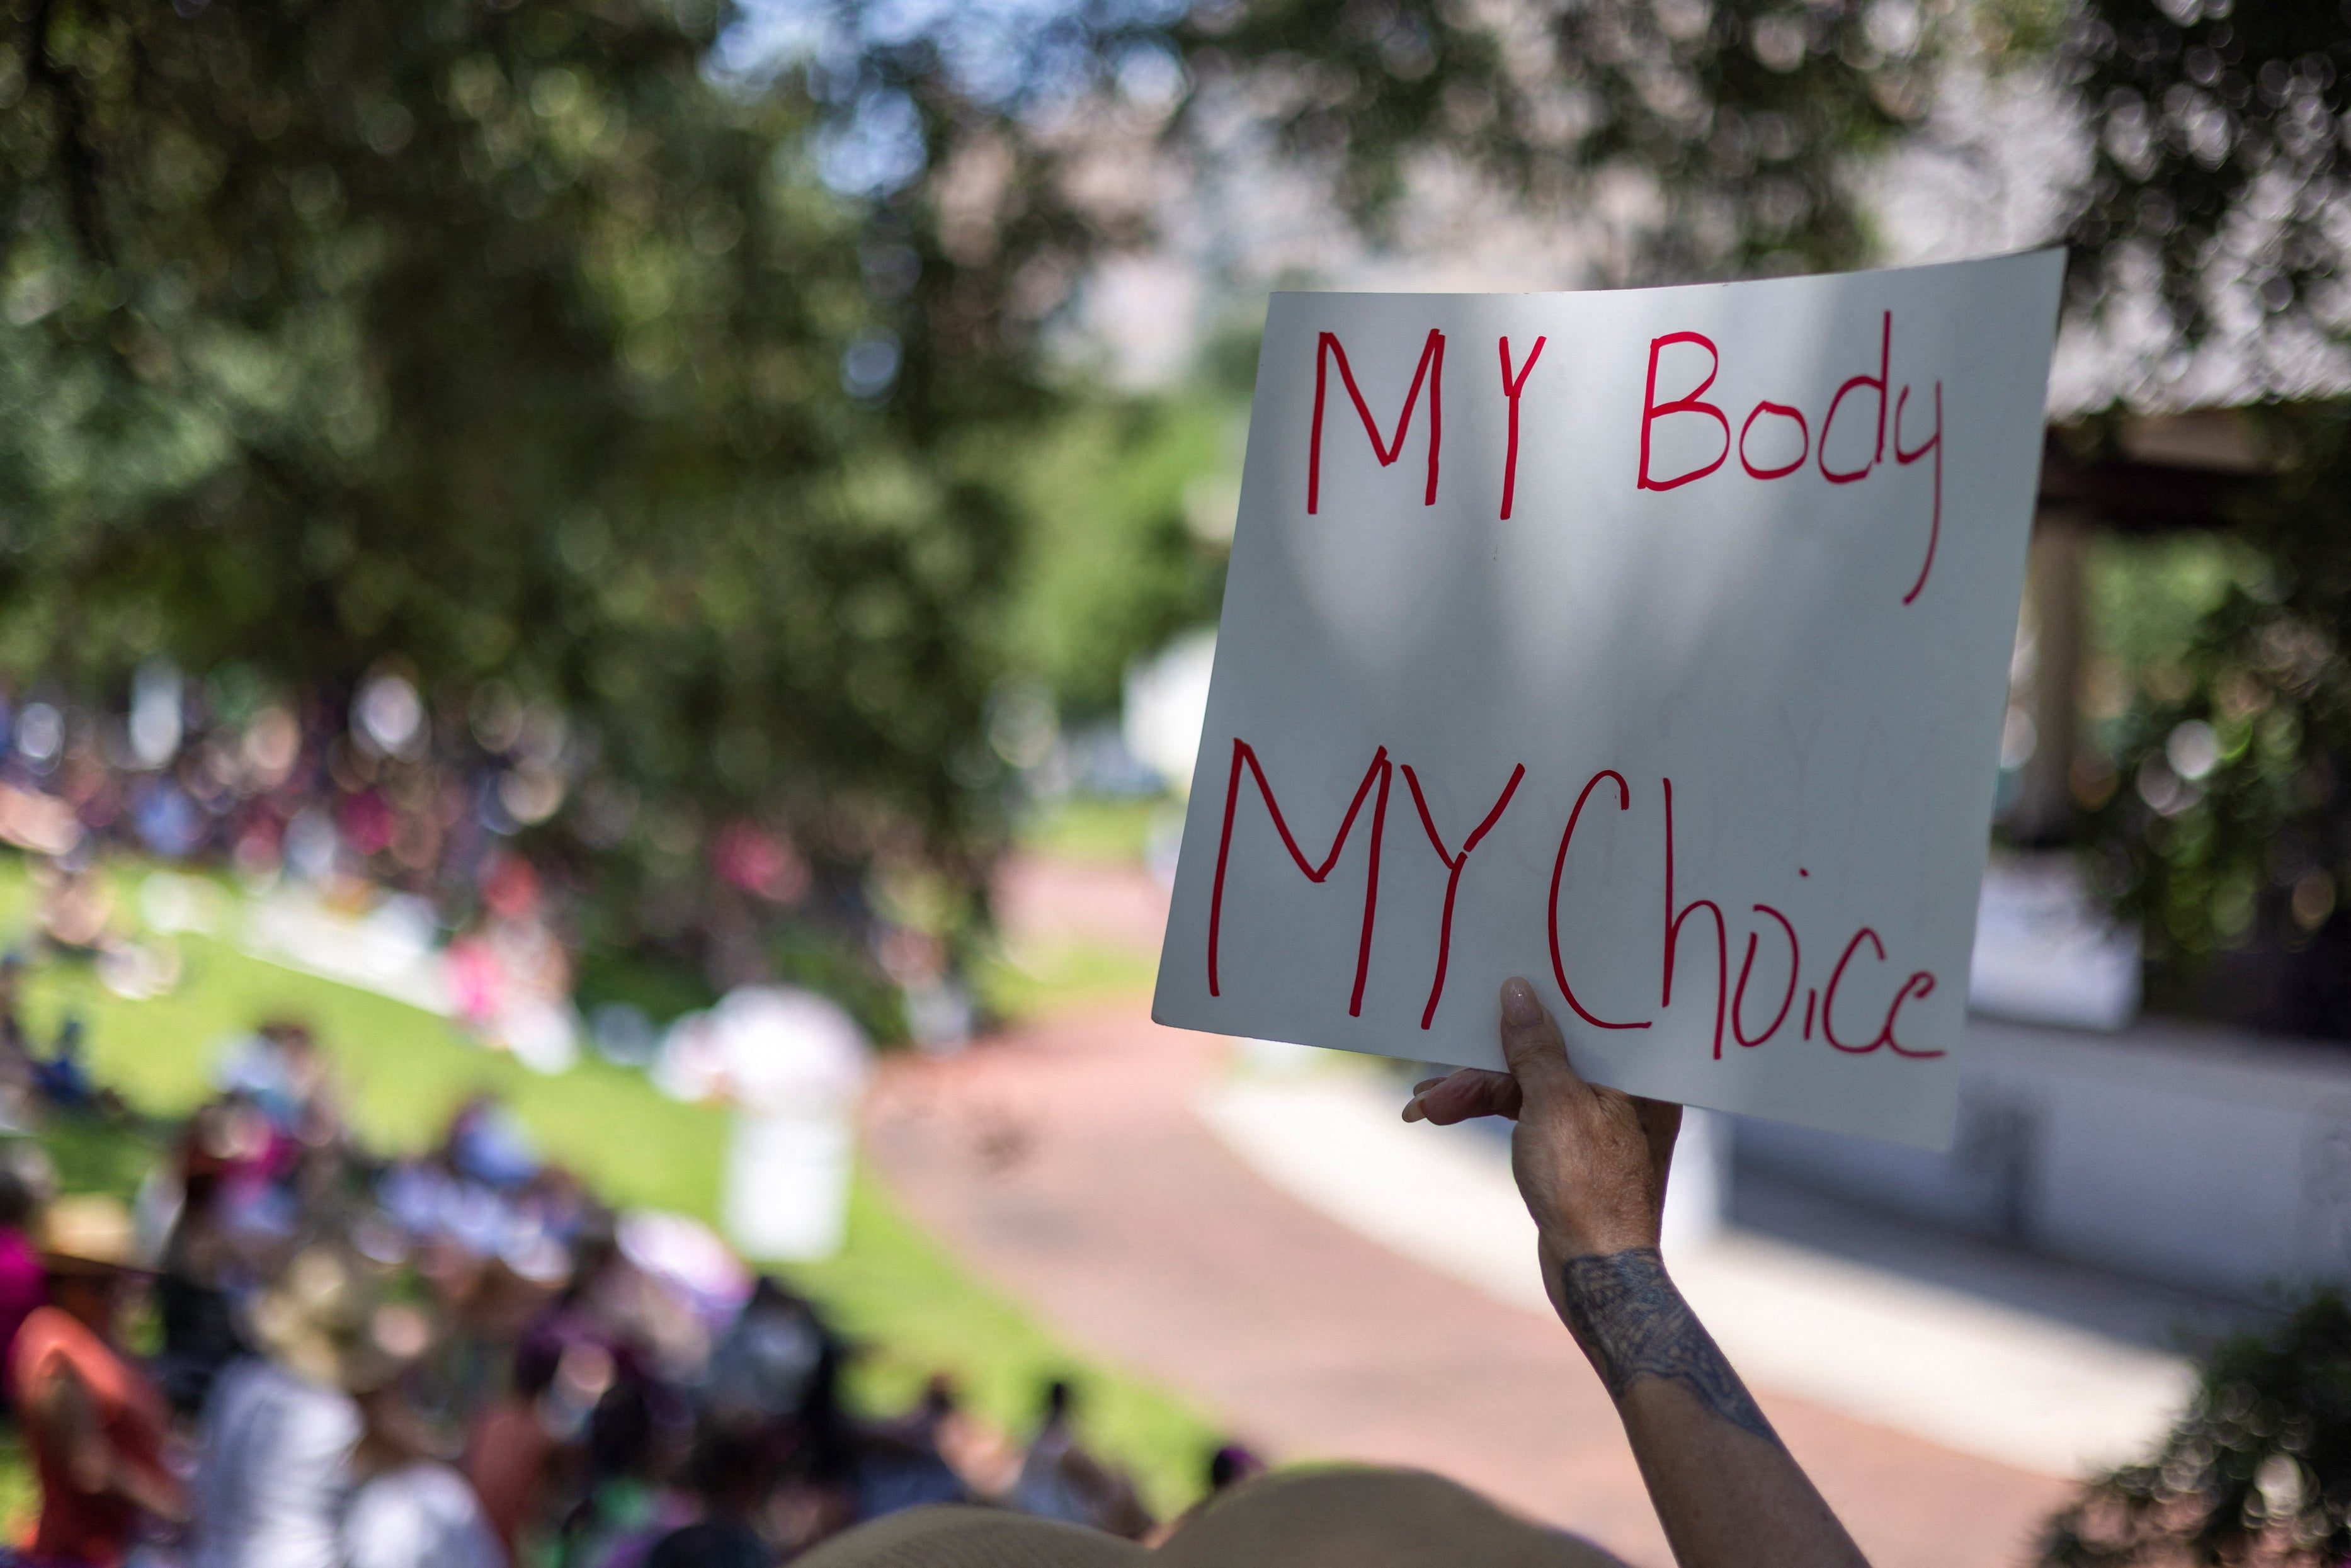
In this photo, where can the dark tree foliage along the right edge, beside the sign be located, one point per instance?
(2216, 196)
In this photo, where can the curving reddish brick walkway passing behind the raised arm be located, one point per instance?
(1066, 1165)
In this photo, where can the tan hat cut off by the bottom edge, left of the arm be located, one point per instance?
(1294, 1520)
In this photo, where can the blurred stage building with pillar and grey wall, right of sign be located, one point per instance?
(2209, 1155)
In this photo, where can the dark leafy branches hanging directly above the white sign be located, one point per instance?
(1741, 116)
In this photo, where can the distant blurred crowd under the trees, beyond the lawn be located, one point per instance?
(474, 829)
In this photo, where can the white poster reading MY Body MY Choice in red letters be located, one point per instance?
(1649, 645)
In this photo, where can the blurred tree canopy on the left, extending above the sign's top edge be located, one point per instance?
(598, 351)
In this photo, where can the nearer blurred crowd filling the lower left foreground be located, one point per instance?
(290, 1353)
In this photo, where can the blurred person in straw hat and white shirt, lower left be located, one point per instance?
(279, 1428)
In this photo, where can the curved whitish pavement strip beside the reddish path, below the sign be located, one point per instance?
(1884, 1346)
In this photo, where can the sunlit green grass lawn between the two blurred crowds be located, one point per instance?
(403, 1073)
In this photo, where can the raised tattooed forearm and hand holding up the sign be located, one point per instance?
(1593, 1165)
